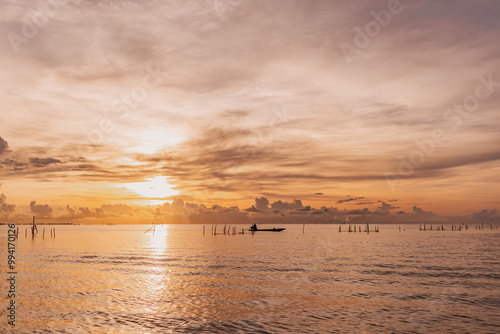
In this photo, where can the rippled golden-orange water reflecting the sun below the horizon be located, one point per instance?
(119, 279)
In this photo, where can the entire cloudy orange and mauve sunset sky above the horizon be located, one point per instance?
(204, 111)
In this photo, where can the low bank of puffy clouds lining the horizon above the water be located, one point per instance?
(263, 211)
